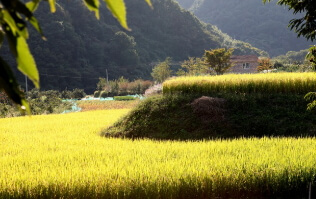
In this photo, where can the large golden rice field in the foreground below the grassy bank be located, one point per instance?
(62, 156)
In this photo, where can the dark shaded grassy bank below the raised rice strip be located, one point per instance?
(221, 115)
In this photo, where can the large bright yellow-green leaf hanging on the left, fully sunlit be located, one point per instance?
(26, 62)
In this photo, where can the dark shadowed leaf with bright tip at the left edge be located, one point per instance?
(10, 86)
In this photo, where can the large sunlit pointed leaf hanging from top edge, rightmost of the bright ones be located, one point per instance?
(118, 9)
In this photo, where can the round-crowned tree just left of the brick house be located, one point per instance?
(219, 59)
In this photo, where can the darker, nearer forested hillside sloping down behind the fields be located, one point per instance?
(79, 48)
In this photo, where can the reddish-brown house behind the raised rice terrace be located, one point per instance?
(244, 64)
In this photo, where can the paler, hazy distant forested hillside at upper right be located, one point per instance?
(263, 26)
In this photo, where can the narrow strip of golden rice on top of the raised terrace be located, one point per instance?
(295, 83)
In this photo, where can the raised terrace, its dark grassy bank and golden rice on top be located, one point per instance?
(255, 105)
